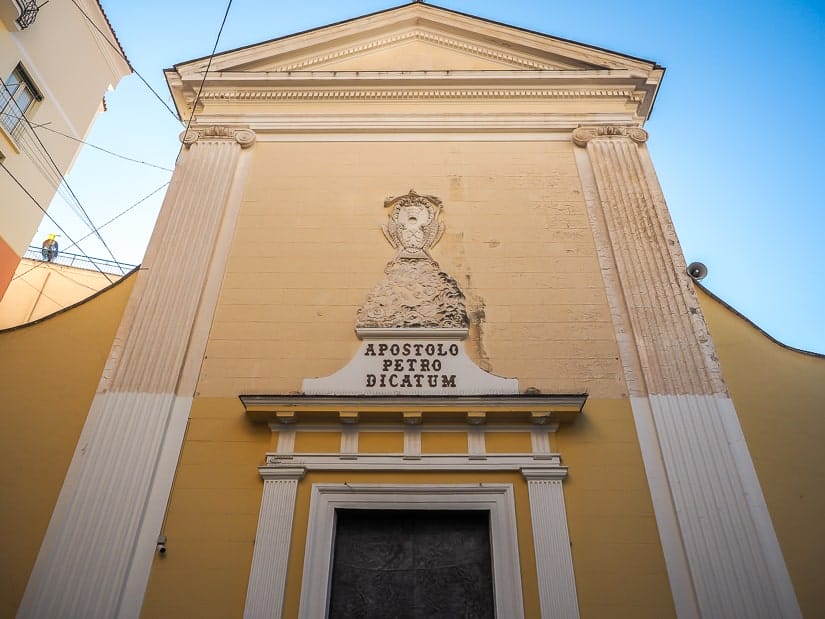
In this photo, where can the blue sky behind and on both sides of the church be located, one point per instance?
(734, 134)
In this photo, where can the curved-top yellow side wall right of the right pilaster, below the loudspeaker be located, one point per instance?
(779, 394)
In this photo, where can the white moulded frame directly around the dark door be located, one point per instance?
(497, 499)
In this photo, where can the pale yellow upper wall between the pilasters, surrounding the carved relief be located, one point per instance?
(306, 253)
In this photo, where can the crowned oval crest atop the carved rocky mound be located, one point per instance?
(414, 224)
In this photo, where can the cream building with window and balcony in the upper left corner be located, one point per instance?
(57, 60)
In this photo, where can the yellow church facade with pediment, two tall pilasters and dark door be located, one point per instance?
(414, 332)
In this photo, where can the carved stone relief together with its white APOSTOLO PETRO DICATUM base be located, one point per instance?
(413, 321)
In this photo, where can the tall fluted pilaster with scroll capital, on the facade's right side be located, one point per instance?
(694, 444)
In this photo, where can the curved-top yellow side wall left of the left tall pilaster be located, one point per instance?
(48, 375)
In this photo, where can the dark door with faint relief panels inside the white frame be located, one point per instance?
(405, 564)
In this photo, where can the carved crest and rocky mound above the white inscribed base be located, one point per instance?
(414, 293)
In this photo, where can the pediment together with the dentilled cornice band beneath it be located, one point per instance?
(472, 58)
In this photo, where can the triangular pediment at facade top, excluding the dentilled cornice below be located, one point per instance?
(415, 37)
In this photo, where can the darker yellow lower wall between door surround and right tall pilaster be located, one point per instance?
(617, 556)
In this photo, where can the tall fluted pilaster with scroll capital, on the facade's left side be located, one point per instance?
(96, 556)
